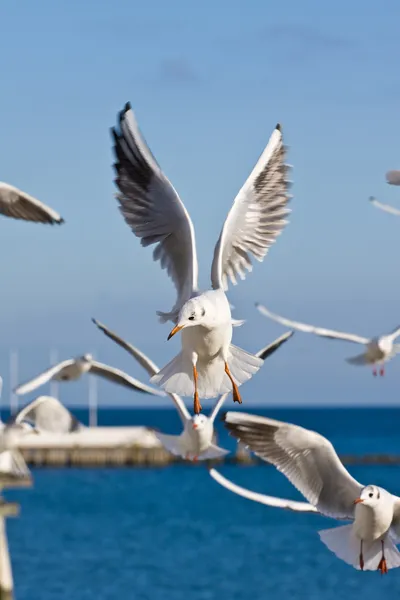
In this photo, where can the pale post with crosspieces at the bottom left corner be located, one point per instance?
(8, 509)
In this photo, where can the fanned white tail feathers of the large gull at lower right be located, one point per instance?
(345, 545)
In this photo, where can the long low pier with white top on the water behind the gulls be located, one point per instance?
(135, 447)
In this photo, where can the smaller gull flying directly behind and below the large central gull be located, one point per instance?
(196, 442)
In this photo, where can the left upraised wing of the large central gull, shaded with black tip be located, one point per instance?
(153, 210)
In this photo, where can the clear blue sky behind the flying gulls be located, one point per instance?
(208, 82)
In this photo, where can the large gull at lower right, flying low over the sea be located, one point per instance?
(311, 464)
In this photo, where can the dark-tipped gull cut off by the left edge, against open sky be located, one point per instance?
(19, 205)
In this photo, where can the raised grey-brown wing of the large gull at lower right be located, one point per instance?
(306, 458)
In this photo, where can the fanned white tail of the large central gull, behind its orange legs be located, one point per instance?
(177, 376)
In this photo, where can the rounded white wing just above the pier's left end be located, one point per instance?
(47, 414)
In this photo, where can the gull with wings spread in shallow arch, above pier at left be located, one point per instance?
(73, 368)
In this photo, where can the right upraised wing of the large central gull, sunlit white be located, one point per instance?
(256, 218)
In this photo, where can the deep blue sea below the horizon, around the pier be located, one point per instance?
(173, 533)
